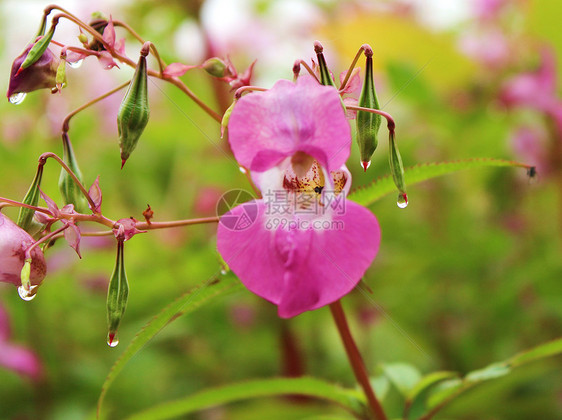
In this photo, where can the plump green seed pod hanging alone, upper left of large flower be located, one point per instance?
(134, 112)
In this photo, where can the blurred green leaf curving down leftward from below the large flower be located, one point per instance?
(185, 304)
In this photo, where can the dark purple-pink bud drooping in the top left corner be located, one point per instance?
(39, 75)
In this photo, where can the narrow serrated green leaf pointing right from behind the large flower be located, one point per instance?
(385, 185)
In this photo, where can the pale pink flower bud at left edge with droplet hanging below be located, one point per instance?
(13, 243)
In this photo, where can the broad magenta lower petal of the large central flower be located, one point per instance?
(301, 269)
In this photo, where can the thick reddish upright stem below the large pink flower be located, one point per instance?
(357, 363)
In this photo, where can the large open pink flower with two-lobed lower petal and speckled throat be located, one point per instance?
(303, 245)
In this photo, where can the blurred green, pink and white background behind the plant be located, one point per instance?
(470, 273)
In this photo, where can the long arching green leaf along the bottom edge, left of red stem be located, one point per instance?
(349, 399)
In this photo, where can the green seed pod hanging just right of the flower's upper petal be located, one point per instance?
(368, 124)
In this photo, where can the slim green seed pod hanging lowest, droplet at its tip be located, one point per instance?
(117, 296)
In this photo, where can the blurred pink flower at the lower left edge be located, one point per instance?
(14, 357)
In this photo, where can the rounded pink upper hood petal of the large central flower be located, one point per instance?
(266, 127)
